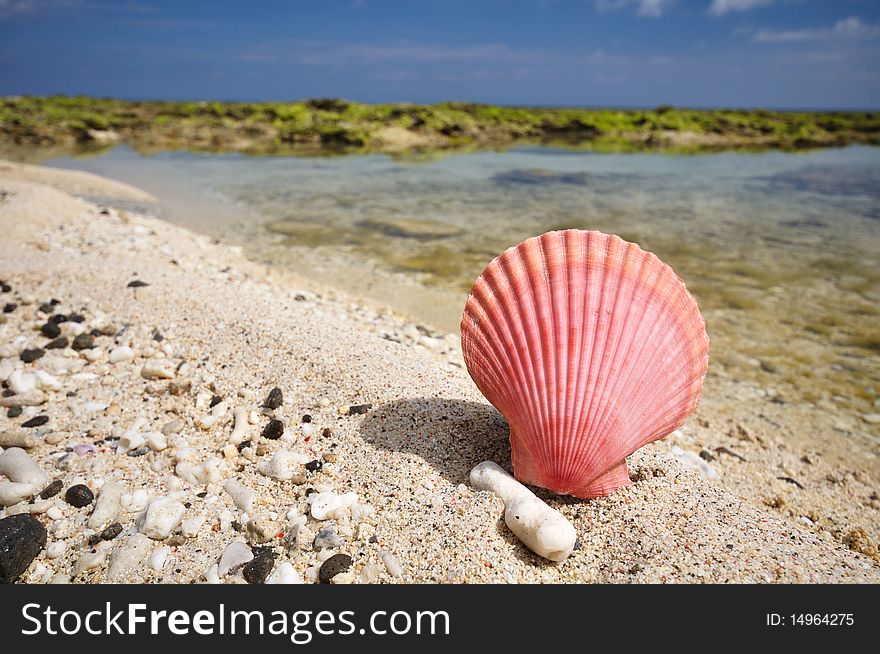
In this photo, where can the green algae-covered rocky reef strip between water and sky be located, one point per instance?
(332, 125)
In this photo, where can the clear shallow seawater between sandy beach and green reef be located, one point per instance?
(782, 250)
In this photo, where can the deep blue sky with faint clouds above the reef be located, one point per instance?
(771, 53)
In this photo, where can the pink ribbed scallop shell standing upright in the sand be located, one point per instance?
(591, 348)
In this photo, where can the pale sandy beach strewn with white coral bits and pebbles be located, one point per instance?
(182, 339)
